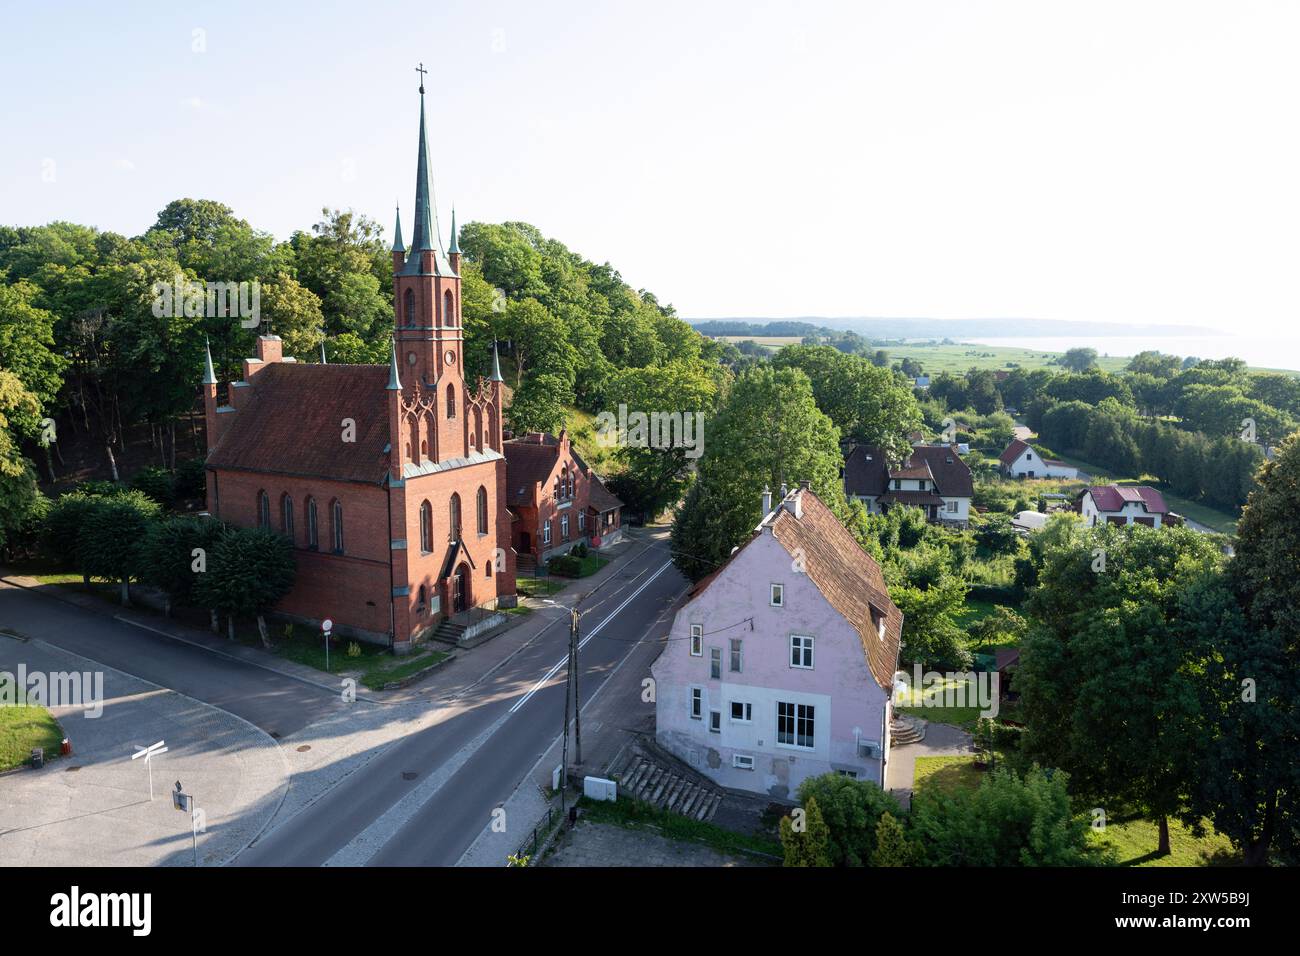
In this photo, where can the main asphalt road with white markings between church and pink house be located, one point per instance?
(522, 704)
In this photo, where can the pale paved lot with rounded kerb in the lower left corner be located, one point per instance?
(93, 808)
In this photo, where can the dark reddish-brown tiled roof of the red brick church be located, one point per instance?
(291, 423)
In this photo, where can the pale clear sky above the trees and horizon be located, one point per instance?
(1120, 162)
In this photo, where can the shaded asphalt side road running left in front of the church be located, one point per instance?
(278, 704)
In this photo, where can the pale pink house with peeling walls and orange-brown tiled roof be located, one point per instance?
(781, 665)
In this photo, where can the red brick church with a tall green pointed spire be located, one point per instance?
(389, 481)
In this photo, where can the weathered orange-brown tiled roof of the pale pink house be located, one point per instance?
(847, 577)
